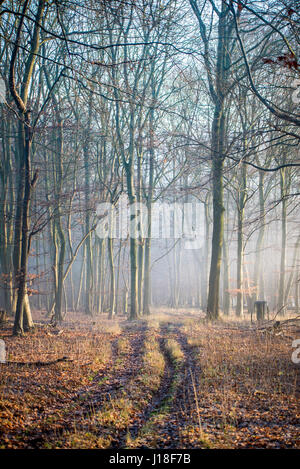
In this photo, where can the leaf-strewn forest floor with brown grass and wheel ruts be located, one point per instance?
(171, 381)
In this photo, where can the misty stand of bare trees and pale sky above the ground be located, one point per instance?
(149, 158)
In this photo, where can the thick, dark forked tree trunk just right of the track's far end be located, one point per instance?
(217, 74)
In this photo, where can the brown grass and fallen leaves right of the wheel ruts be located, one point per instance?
(246, 387)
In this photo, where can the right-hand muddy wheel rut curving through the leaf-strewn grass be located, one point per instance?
(169, 411)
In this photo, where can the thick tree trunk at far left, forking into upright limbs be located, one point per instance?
(26, 185)
